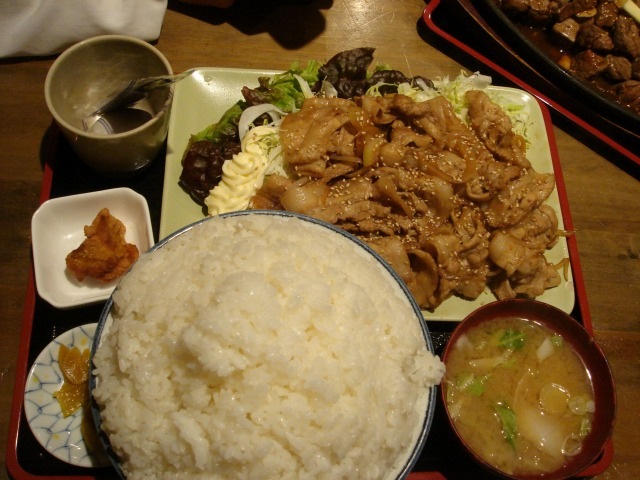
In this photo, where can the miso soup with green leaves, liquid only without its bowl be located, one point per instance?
(518, 395)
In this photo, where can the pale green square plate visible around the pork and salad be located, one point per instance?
(204, 96)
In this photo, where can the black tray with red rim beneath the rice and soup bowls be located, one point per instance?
(442, 457)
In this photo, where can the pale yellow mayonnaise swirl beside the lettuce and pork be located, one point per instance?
(243, 175)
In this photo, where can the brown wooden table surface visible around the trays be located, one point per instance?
(603, 191)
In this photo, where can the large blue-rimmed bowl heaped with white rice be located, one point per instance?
(260, 345)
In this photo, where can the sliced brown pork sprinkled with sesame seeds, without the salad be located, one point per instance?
(453, 208)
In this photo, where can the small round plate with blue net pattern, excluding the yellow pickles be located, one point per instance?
(60, 436)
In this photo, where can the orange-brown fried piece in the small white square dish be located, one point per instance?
(104, 254)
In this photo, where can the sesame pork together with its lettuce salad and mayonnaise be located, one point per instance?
(452, 204)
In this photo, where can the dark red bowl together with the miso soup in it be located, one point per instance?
(521, 391)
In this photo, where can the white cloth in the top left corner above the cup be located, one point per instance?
(45, 27)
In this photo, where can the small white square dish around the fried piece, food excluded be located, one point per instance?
(57, 228)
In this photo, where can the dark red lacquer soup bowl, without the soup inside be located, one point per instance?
(593, 360)
